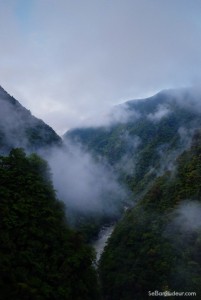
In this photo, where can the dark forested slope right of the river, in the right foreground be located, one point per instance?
(157, 244)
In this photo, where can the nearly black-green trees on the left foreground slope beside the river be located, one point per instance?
(40, 257)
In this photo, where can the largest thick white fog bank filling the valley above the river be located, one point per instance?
(83, 183)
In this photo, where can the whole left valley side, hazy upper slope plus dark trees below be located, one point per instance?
(41, 257)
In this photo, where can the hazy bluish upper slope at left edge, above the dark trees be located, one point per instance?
(19, 128)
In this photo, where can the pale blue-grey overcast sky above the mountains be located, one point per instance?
(67, 60)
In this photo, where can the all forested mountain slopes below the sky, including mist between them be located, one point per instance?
(152, 160)
